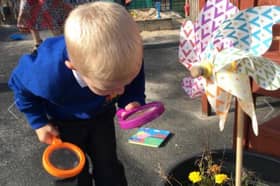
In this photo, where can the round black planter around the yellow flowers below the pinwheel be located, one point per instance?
(267, 169)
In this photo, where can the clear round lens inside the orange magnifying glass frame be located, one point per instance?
(64, 159)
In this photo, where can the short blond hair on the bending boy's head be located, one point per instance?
(103, 41)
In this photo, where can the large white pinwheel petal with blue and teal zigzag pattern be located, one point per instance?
(251, 29)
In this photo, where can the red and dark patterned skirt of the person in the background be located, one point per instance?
(42, 14)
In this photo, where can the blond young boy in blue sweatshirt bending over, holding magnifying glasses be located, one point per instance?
(67, 89)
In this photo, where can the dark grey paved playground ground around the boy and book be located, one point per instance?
(20, 151)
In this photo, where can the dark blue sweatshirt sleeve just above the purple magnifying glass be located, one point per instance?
(135, 91)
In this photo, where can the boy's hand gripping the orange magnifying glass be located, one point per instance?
(46, 133)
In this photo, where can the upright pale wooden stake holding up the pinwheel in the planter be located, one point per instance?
(239, 145)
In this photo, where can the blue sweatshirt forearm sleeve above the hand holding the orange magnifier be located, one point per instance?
(29, 104)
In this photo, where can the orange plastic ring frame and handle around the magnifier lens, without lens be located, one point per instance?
(62, 173)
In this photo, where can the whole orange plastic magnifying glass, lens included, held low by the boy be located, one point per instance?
(62, 159)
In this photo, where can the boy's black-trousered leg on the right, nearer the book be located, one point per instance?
(107, 169)
